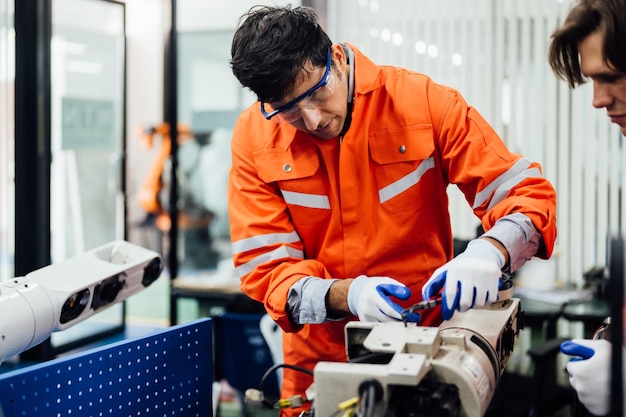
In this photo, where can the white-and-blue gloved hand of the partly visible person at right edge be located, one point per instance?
(590, 372)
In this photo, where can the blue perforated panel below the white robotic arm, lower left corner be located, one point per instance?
(165, 374)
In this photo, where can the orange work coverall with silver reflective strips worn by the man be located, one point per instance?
(373, 202)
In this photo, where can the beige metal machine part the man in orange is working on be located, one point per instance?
(452, 370)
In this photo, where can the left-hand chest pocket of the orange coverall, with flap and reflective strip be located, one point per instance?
(296, 171)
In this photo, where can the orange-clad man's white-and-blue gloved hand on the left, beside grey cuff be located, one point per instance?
(369, 298)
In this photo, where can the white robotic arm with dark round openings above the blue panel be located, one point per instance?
(62, 295)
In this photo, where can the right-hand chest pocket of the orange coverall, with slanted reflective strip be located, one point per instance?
(401, 160)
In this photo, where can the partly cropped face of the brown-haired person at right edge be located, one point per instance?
(609, 84)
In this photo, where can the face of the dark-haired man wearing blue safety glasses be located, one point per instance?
(324, 114)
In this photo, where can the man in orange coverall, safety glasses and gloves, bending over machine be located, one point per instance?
(337, 191)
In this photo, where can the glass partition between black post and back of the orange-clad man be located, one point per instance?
(209, 99)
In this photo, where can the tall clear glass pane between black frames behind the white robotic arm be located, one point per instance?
(87, 137)
